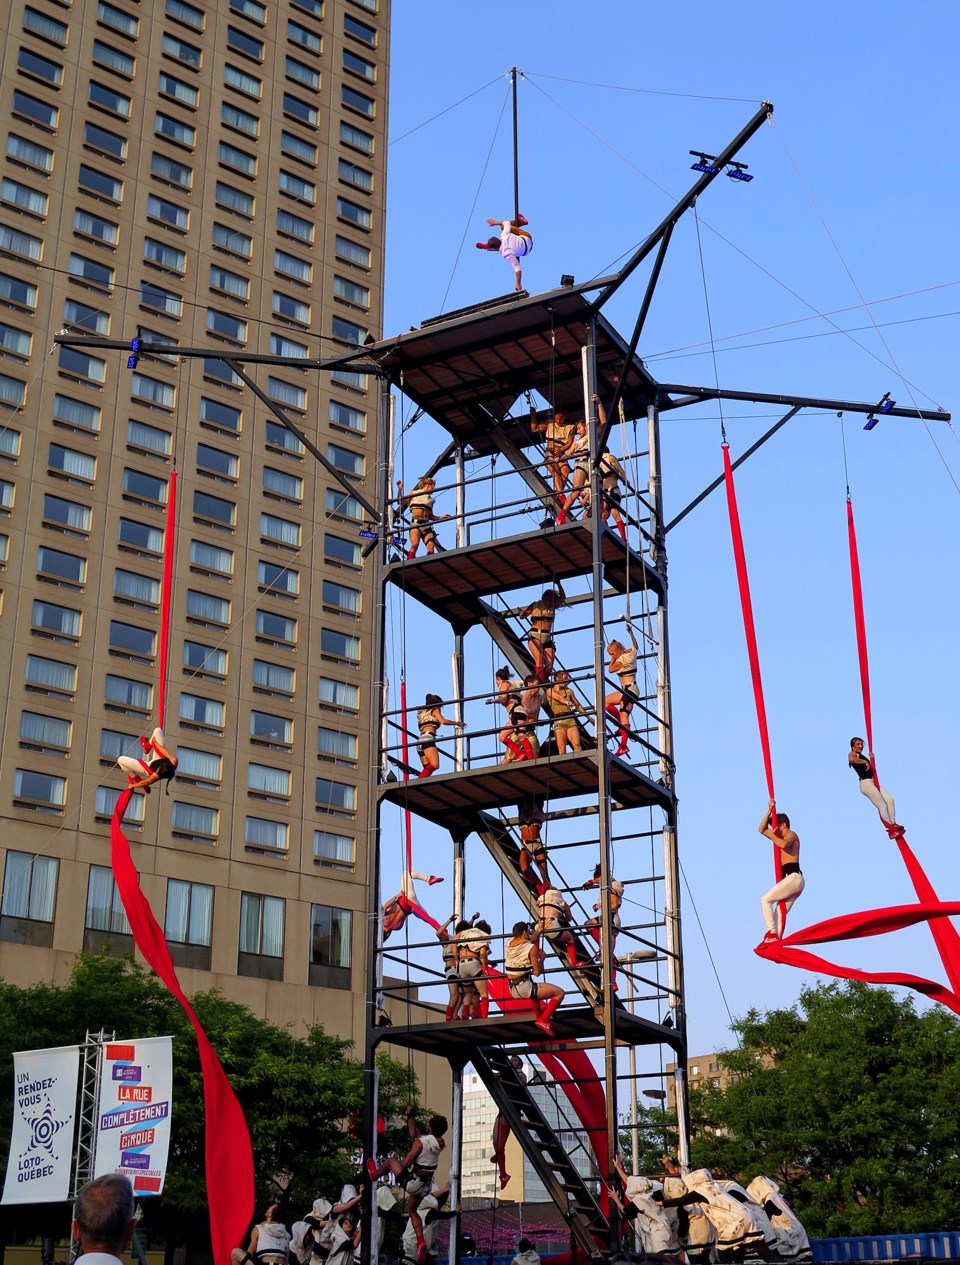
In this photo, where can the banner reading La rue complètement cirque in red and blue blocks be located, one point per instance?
(133, 1123)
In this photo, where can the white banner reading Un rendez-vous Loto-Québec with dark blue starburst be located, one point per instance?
(42, 1130)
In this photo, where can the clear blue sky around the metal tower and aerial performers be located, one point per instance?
(854, 199)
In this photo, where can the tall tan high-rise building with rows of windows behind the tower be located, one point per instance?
(208, 174)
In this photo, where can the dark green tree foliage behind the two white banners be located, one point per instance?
(302, 1096)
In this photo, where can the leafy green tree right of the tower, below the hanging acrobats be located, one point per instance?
(851, 1101)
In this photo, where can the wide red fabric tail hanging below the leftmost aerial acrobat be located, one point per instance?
(230, 1157)
